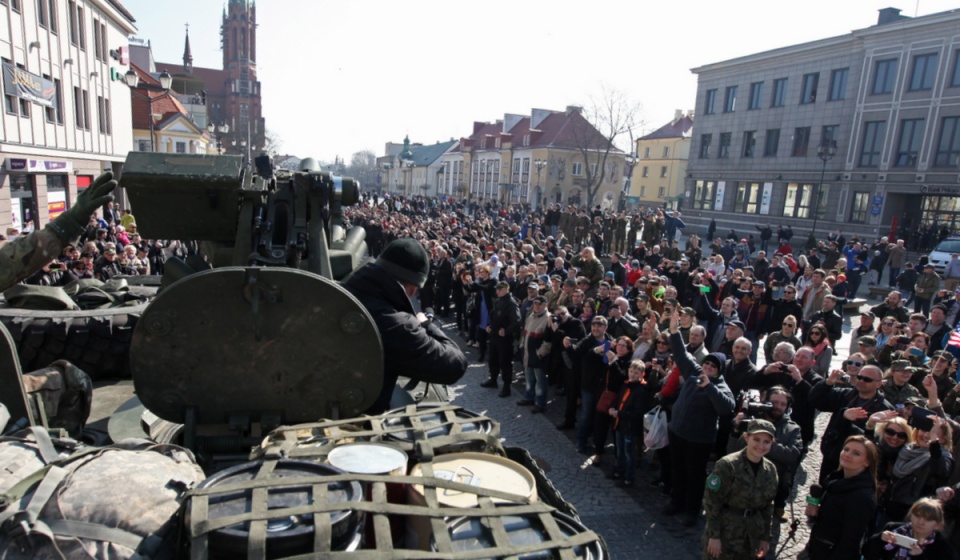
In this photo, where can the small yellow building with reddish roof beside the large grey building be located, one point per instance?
(659, 177)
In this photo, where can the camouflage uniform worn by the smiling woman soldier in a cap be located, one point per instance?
(739, 506)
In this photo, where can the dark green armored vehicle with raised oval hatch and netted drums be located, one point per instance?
(254, 358)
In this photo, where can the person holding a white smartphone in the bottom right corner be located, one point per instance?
(918, 539)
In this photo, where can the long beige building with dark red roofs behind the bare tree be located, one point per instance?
(549, 156)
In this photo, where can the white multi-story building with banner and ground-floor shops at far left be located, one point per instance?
(66, 107)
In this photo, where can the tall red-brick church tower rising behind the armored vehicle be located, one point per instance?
(242, 108)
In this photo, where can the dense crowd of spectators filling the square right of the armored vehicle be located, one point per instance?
(609, 314)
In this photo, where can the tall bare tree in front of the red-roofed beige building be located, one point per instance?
(595, 132)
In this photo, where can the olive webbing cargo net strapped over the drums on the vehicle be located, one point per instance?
(314, 441)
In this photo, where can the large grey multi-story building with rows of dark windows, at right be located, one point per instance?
(859, 132)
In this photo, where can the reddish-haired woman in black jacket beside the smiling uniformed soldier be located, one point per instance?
(848, 503)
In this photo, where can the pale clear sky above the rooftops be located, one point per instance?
(342, 76)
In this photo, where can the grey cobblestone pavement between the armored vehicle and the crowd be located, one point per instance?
(628, 519)
